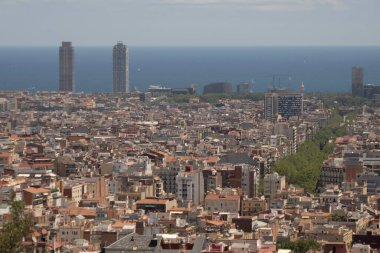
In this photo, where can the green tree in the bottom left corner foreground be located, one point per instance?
(14, 231)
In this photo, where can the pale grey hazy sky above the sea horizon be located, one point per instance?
(190, 22)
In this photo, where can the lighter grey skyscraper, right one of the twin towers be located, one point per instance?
(120, 68)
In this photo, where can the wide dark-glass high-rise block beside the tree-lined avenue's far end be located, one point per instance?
(284, 103)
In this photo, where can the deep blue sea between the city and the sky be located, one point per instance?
(323, 69)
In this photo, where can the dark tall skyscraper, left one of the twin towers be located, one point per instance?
(66, 67)
